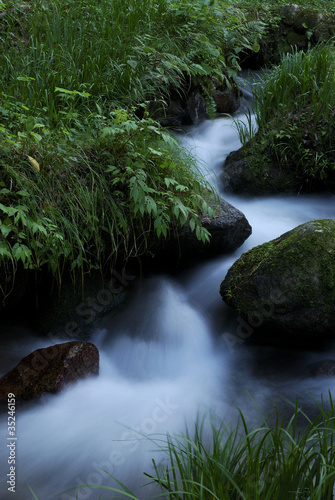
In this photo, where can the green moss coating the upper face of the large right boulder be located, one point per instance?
(299, 266)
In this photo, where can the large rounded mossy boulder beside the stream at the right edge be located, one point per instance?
(288, 284)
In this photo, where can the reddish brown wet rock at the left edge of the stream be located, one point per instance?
(50, 370)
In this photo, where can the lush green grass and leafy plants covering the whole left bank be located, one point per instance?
(86, 176)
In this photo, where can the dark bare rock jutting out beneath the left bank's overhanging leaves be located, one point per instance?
(229, 228)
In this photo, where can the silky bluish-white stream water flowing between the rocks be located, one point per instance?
(164, 360)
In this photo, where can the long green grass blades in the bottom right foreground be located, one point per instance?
(290, 457)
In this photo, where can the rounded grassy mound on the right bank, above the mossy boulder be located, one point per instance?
(294, 109)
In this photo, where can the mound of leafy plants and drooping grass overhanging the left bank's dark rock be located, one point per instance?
(99, 200)
